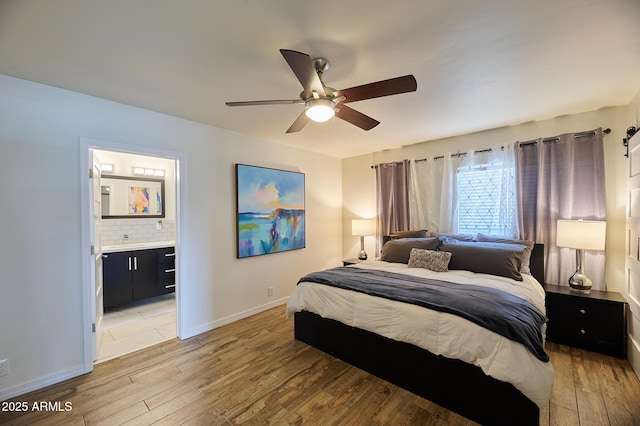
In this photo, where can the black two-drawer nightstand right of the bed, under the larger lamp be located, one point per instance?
(596, 321)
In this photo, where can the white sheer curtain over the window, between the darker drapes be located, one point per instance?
(470, 193)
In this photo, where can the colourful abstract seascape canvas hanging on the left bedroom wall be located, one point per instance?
(270, 206)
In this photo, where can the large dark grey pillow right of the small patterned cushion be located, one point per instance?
(486, 258)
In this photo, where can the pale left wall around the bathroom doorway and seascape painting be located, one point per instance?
(41, 321)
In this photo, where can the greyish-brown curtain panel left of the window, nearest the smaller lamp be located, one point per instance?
(392, 187)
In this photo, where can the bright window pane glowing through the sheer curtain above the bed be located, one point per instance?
(486, 201)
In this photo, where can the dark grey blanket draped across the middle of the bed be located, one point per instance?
(496, 310)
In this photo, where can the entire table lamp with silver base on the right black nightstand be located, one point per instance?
(581, 235)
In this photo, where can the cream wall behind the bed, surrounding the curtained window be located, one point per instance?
(358, 179)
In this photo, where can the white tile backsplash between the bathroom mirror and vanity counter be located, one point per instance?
(138, 230)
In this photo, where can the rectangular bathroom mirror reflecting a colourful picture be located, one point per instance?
(127, 197)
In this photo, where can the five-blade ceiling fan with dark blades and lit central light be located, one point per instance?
(322, 102)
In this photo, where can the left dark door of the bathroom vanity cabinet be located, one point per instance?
(117, 279)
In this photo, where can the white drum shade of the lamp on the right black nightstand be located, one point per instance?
(581, 234)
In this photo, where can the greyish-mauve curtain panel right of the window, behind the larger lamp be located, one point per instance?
(562, 178)
